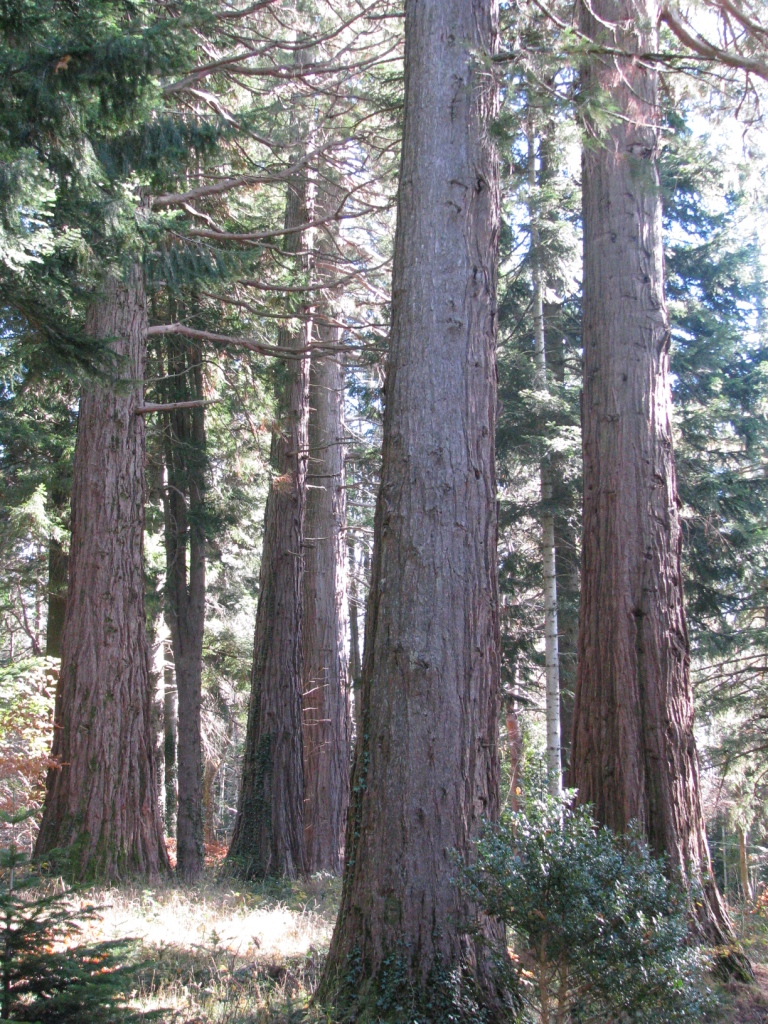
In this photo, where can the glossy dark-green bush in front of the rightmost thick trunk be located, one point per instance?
(601, 932)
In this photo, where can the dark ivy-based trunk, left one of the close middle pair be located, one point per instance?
(269, 836)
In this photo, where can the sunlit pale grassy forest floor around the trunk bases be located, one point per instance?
(232, 953)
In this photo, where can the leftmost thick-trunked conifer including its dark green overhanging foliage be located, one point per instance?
(79, 130)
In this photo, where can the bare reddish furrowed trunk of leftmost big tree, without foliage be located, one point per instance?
(101, 804)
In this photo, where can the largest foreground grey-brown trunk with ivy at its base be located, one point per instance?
(426, 758)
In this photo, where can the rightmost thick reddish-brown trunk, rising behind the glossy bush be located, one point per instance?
(634, 755)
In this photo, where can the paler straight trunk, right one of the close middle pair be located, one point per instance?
(325, 626)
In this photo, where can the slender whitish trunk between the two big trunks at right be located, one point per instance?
(549, 558)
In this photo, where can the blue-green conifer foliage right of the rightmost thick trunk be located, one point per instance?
(720, 363)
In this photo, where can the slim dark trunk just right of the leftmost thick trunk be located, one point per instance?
(186, 592)
